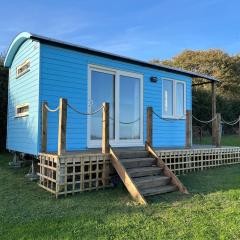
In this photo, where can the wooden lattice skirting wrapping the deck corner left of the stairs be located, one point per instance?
(69, 174)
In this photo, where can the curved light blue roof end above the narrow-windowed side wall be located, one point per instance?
(12, 50)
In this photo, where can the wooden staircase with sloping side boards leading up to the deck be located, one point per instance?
(144, 174)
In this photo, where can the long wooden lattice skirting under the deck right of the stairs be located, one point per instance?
(187, 160)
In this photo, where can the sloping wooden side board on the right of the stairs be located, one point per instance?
(166, 170)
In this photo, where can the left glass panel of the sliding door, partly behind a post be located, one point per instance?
(102, 90)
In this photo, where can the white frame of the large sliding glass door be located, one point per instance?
(117, 142)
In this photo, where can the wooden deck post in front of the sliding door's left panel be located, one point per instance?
(105, 128)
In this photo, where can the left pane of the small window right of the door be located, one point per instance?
(167, 98)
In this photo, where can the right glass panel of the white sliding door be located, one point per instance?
(129, 108)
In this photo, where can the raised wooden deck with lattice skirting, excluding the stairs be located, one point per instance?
(90, 169)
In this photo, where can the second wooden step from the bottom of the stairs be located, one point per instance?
(151, 181)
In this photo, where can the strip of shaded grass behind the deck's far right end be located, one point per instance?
(227, 140)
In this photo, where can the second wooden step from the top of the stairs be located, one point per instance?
(138, 162)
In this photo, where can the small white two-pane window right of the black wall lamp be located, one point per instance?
(174, 98)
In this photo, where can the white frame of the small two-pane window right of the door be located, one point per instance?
(174, 116)
